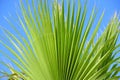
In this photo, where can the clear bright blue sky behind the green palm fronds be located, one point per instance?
(9, 7)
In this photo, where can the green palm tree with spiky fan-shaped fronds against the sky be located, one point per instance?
(57, 46)
